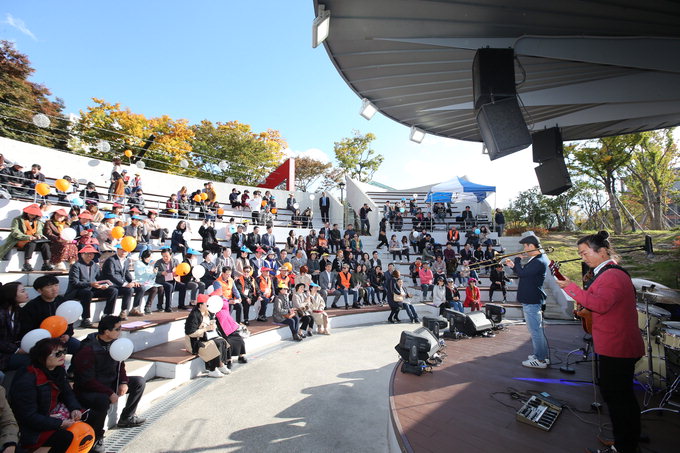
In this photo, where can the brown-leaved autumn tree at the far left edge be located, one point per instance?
(21, 99)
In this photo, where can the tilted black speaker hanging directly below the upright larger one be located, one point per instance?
(503, 128)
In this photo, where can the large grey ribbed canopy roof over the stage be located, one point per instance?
(592, 68)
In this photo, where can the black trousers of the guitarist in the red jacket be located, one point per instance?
(616, 387)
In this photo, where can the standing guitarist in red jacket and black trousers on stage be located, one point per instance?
(610, 297)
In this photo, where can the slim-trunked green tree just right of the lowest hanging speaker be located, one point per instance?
(604, 160)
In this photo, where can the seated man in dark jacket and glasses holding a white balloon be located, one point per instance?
(100, 380)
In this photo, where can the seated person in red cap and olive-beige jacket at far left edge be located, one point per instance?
(27, 235)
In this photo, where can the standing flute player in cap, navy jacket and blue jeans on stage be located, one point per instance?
(532, 297)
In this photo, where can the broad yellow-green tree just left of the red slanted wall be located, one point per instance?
(249, 156)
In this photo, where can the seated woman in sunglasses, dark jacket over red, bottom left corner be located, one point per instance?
(43, 402)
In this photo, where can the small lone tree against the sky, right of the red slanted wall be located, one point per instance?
(356, 158)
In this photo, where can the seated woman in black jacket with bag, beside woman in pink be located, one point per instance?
(202, 339)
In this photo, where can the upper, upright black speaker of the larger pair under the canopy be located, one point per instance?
(493, 75)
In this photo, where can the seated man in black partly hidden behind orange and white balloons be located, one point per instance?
(43, 306)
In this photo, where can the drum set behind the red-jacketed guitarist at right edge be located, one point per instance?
(659, 369)
